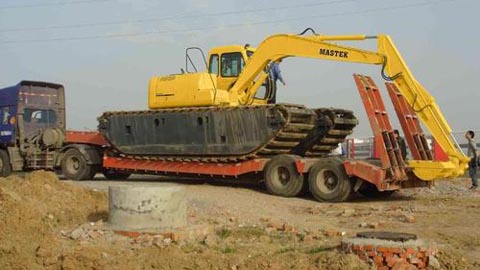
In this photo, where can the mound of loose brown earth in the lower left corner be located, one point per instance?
(34, 208)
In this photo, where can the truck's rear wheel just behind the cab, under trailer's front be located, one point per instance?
(75, 166)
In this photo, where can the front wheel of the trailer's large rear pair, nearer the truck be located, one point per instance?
(282, 178)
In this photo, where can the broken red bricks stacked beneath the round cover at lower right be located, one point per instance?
(391, 257)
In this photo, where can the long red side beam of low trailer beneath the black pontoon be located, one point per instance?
(194, 168)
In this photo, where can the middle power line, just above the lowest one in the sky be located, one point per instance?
(177, 17)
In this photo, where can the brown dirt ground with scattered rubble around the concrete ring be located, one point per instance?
(46, 223)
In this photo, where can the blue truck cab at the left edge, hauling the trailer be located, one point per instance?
(32, 125)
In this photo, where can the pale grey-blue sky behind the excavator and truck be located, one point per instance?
(105, 51)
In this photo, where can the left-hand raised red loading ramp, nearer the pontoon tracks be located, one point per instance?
(386, 145)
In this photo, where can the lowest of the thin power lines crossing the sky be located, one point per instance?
(108, 36)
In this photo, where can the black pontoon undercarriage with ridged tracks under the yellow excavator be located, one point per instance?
(216, 134)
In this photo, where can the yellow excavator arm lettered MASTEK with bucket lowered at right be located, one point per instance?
(393, 69)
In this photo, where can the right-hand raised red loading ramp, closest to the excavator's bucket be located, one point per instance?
(411, 126)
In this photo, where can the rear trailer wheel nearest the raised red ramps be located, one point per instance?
(328, 181)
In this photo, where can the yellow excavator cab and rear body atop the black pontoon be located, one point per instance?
(193, 88)
